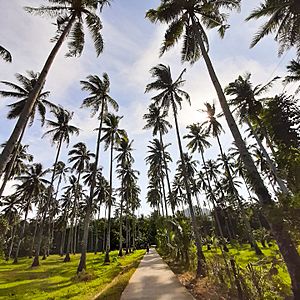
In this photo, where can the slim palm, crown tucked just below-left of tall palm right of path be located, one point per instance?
(155, 119)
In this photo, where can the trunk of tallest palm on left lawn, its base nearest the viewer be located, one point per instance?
(82, 262)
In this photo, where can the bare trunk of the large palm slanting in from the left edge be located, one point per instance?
(24, 116)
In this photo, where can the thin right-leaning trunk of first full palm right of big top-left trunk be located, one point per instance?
(36, 262)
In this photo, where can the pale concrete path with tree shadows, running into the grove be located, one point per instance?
(154, 280)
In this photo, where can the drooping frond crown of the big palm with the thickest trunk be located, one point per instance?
(187, 19)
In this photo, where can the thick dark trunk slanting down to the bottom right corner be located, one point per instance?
(281, 235)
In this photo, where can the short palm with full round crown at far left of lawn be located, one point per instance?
(32, 185)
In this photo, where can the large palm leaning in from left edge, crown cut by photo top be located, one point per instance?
(70, 16)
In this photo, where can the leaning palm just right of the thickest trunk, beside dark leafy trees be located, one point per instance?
(248, 110)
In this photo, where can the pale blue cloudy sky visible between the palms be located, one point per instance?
(131, 48)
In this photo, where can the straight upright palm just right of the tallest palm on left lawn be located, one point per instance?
(112, 135)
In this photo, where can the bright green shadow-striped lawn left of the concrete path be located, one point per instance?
(55, 279)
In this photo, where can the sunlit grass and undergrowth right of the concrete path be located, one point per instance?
(268, 273)
